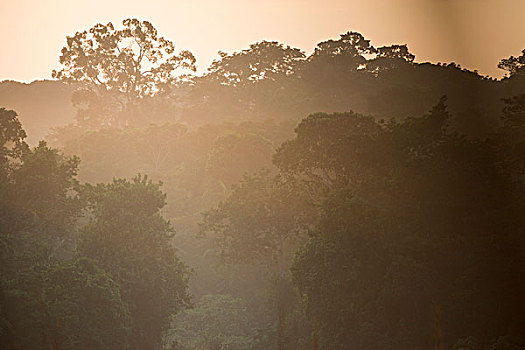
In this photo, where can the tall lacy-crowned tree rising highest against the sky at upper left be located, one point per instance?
(118, 68)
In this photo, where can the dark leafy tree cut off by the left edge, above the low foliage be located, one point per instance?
(38, 187)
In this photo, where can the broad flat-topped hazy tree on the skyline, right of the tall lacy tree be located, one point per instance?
(250, 83)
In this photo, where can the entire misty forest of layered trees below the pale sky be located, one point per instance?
(350, 199)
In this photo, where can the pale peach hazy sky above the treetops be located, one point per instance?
(473, 33)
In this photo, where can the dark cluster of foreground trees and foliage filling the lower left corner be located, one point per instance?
(116, 290)
